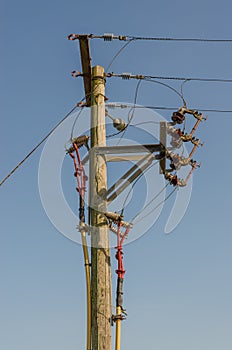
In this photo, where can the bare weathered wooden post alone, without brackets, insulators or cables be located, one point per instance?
(100, 252)
